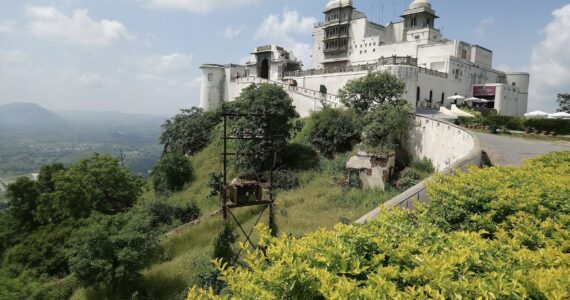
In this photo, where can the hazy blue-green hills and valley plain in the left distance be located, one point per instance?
(31, 136)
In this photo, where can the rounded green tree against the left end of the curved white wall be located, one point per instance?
(387, 126)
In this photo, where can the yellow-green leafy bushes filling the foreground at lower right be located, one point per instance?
(428, 253)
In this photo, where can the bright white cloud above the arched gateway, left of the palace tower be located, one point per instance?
(285, 31)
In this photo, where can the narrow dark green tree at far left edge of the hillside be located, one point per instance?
(23, 202)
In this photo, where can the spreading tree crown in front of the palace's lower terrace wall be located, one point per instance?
(376, 88)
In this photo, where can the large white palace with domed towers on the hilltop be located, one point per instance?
(346, 46)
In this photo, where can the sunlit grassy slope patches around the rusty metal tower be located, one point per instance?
(316, 204)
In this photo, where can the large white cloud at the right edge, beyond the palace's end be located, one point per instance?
(550, 63)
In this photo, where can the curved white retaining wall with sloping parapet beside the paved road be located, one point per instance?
(449, 147)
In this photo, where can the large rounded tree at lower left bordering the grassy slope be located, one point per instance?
(112, 250)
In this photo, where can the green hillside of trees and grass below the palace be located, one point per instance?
(100, 224)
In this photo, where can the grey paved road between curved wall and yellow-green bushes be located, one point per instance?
(504, 150)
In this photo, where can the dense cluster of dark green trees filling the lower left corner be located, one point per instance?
(74, 223)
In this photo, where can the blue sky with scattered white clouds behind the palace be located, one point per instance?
(142, 56)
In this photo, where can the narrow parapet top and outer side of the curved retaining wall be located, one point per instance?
(418, 193)
